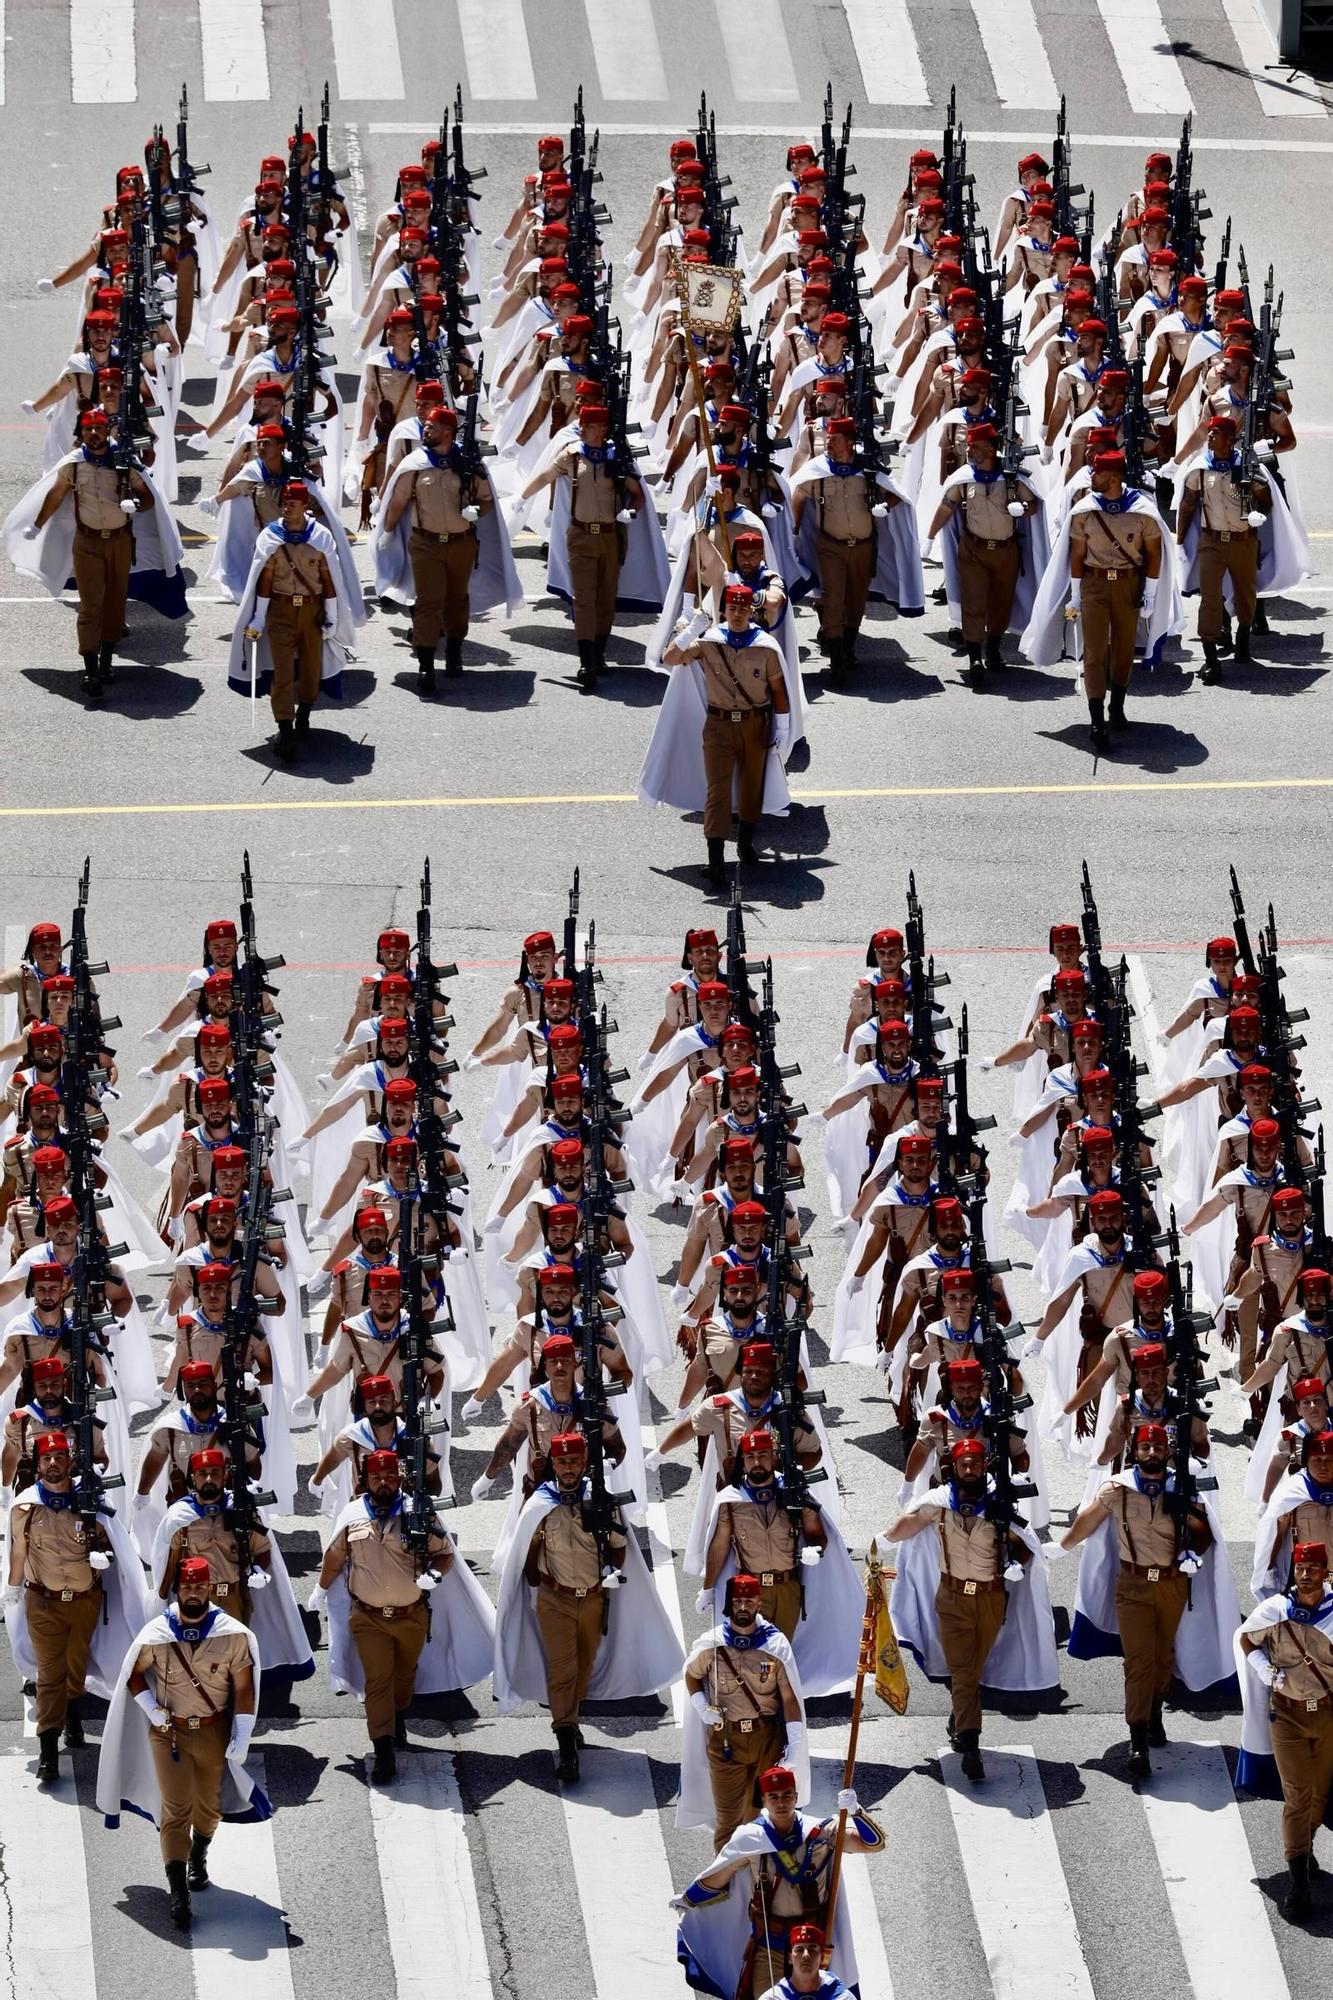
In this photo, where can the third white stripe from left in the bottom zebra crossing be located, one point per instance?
(431, 1907)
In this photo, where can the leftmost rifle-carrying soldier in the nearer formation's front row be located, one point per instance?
(57, 1561)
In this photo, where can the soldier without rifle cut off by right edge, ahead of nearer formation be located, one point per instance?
(1288, 1643)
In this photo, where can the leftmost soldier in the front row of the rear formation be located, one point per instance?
(105, 505)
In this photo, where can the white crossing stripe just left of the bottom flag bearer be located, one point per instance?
(615, 1841)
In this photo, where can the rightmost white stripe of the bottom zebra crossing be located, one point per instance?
(1210, 1875)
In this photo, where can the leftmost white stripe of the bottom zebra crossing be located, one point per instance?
(45, 1885)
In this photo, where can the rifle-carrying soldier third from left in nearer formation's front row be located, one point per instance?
(389, 1587)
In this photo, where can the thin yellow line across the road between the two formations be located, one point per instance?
(629, 799)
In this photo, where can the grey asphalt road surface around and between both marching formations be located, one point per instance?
(1058, 1879)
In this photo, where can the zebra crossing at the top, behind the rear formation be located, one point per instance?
(503, 49)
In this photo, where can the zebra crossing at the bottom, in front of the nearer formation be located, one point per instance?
(453, 1897)
